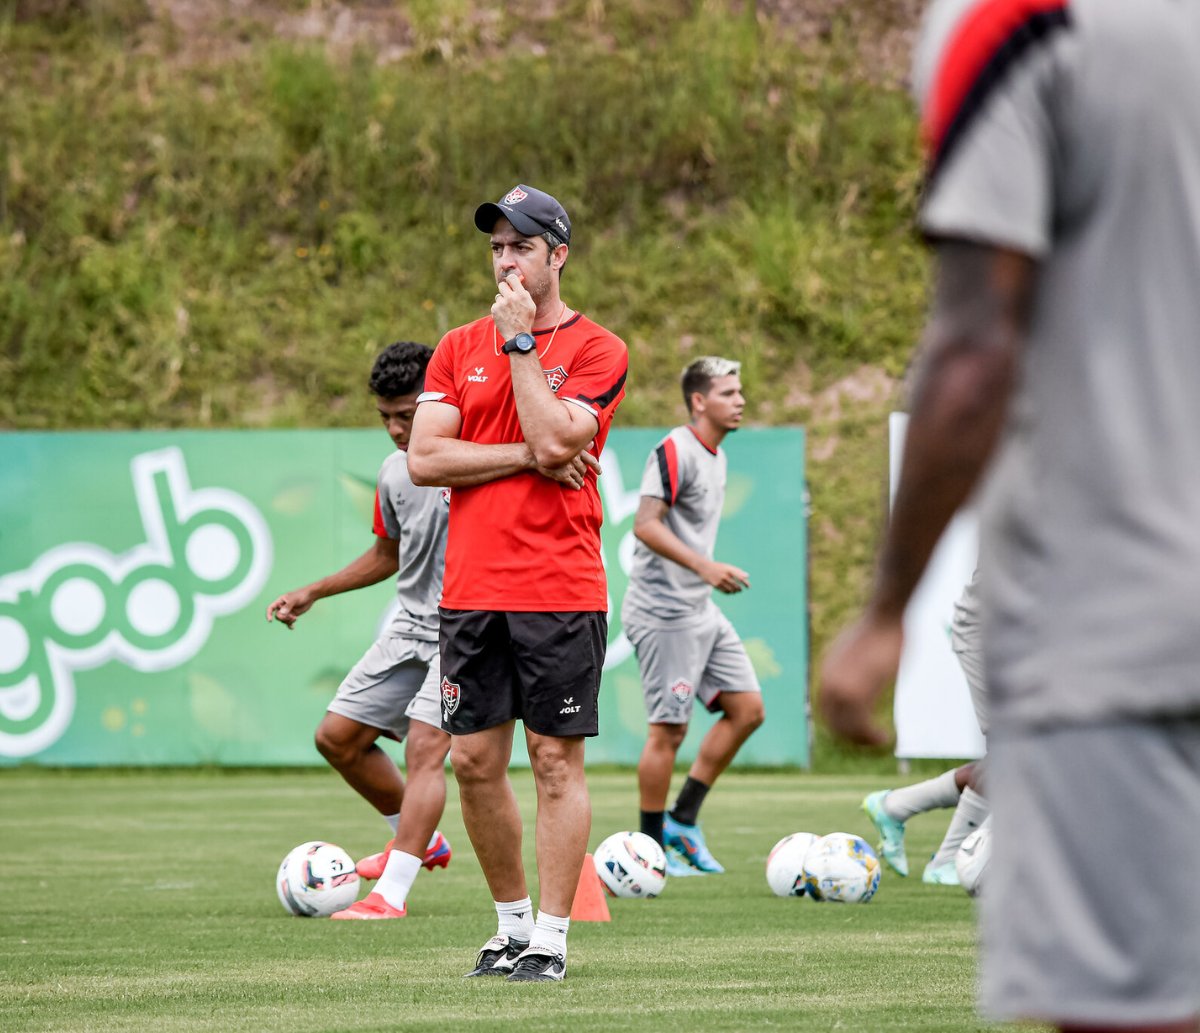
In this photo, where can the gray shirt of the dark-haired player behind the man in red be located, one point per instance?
(417, 518)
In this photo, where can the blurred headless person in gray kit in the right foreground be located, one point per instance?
(1063, 356)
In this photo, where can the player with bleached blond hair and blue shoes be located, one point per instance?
(686, 647)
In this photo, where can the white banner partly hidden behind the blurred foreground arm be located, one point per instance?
(933, 712)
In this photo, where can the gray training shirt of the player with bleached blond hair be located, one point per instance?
(689, 477)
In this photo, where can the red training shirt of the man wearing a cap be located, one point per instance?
(526, 543)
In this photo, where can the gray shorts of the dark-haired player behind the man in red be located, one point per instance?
(397, 682)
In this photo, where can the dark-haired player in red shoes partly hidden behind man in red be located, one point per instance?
(393, 690)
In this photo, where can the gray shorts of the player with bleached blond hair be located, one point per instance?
(680, 665)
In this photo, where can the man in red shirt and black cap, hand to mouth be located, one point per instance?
(514, 417)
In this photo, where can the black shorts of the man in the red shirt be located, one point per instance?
(543, 669)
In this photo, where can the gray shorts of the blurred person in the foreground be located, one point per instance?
(1091, 915)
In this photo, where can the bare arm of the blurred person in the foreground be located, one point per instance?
(963, 386)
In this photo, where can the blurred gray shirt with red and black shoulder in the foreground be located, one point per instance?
(1071, 133)
